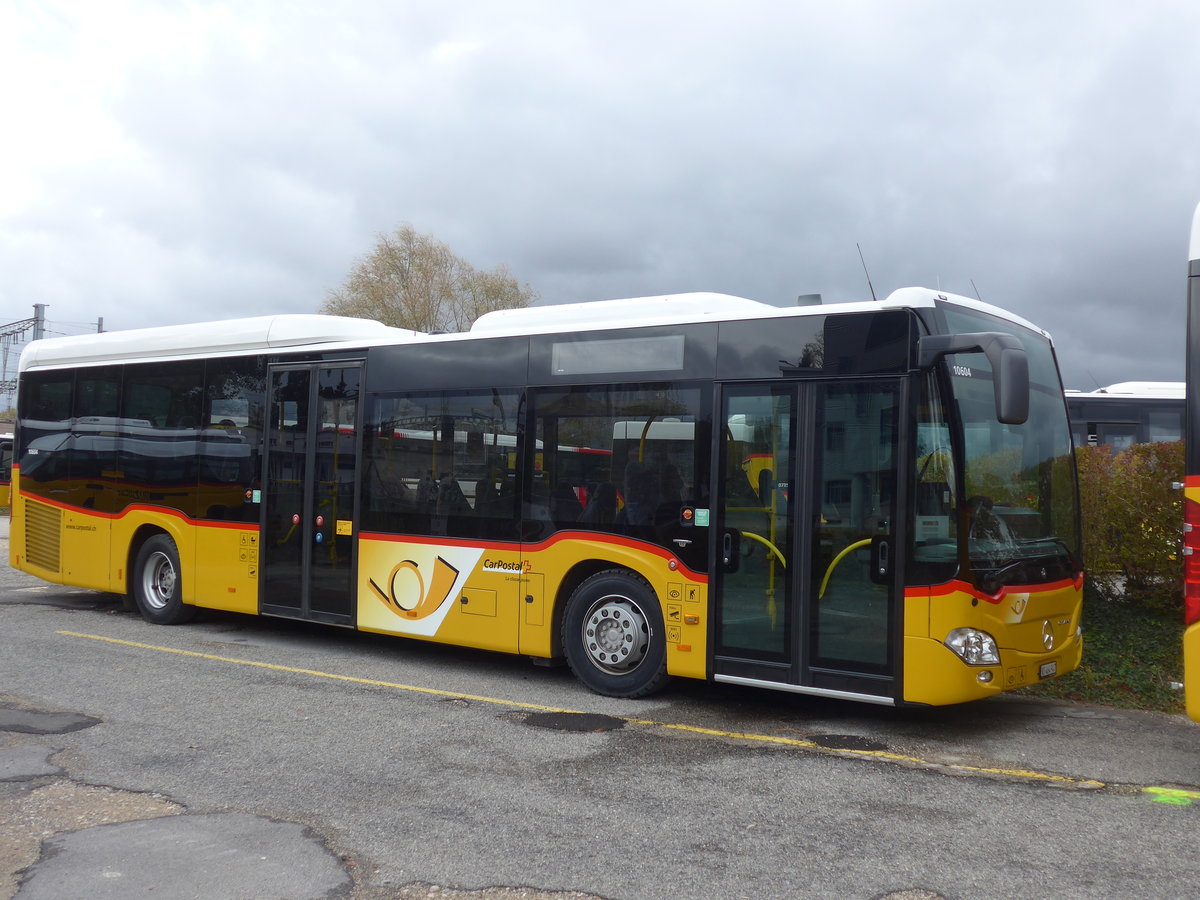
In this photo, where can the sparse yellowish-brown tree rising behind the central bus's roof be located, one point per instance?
(415, 281)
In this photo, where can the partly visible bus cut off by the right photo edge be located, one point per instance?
(1192, 485)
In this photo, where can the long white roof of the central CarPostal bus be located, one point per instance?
(295, 332)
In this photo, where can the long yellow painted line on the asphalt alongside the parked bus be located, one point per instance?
(775, 740)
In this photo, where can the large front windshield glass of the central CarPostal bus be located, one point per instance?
(1019, 490)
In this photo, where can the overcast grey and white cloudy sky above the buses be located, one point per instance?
(170, 163)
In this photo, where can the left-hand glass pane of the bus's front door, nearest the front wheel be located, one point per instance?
(754, 531)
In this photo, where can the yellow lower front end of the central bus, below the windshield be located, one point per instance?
(1019, 623)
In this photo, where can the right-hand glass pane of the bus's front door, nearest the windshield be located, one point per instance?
(854, 541)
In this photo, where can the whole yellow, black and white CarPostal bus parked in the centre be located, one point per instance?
(871, 501)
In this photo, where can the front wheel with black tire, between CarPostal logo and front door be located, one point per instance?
(614, 635)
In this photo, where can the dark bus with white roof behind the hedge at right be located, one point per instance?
(1127, 413)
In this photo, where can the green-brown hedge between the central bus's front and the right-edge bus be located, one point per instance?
(1132, 519)
